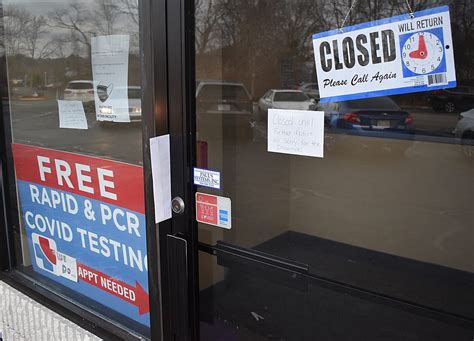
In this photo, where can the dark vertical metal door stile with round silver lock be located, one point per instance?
(181, 247)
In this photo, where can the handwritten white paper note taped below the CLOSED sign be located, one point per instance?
(298, 132)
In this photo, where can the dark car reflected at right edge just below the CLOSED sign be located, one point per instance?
(450, 100)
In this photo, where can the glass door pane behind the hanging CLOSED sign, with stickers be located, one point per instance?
(372, 239)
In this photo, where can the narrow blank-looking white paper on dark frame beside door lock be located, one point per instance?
(161, 174)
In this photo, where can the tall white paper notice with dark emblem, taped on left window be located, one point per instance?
(109, 55)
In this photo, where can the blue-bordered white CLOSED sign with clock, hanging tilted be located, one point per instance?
(390, 56)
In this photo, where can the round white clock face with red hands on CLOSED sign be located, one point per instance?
(423, 52)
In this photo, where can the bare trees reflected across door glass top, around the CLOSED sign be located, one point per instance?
(248, 40)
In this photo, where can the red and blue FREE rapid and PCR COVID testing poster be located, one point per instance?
(85, 224)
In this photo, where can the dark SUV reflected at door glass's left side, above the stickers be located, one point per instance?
(222, 105)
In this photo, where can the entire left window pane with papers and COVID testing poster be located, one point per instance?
(75, 109)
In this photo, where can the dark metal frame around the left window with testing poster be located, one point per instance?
(154, 37)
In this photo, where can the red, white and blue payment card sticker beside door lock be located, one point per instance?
(213, 210)
